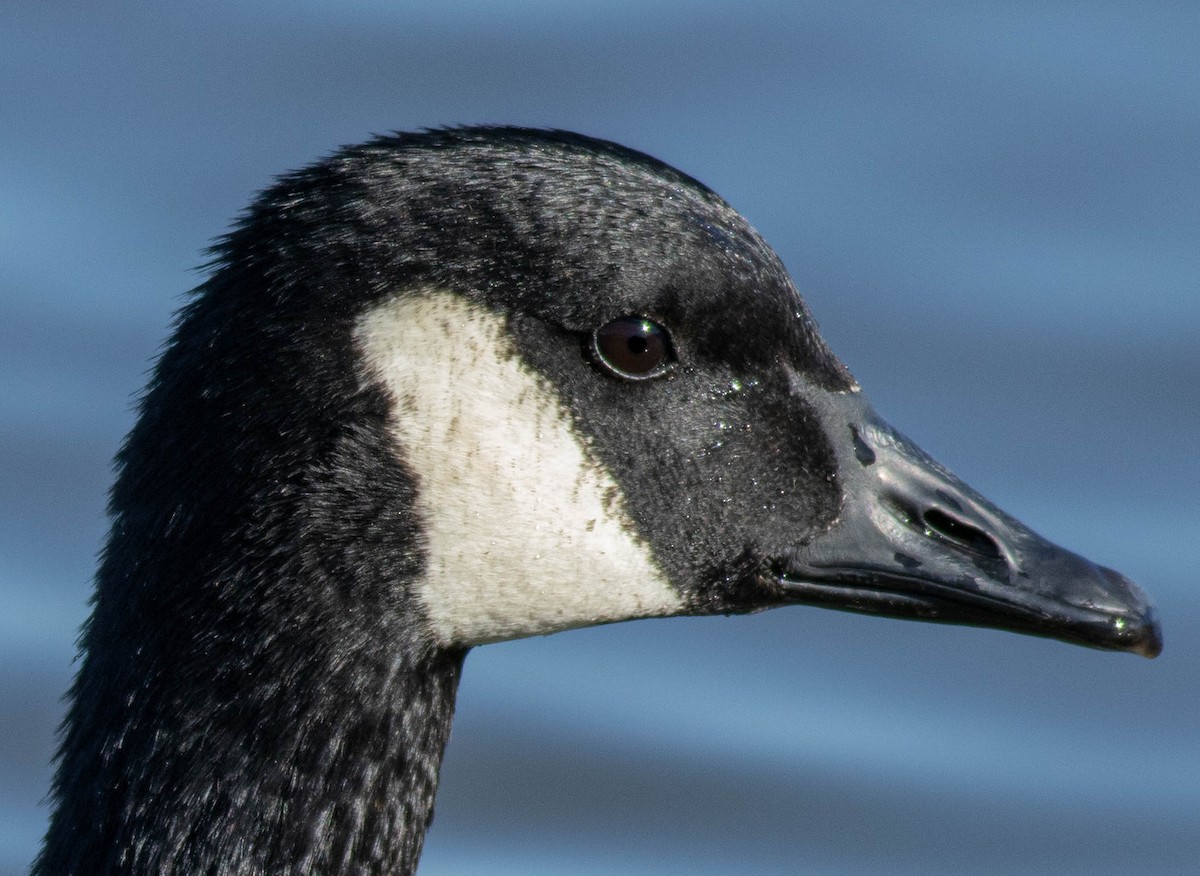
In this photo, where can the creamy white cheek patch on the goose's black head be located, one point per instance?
(525, 531)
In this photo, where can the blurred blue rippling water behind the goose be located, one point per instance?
(994, 211)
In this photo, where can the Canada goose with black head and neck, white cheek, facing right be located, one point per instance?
(459, 387)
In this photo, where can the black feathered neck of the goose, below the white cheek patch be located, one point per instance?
(333, 770)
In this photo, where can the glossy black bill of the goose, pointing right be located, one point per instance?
(915, 542)
